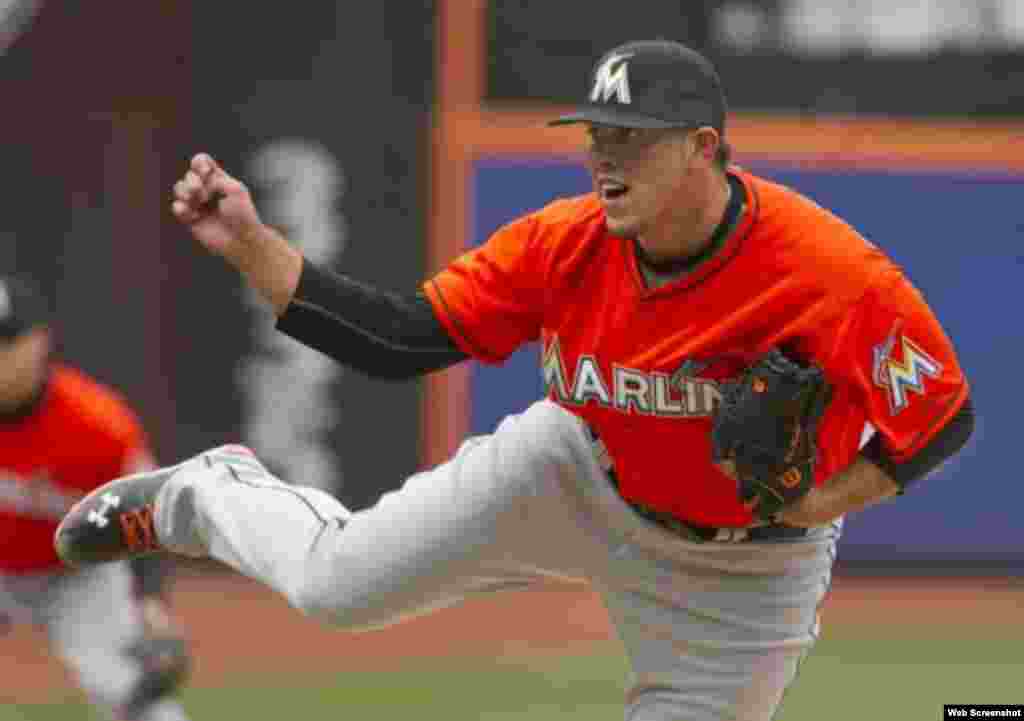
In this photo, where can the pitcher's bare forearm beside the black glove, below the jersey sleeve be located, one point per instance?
(862, 485)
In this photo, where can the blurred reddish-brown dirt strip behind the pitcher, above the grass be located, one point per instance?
(239, 628)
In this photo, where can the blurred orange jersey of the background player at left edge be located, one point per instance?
(82, 436)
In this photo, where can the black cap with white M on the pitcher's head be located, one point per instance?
(653, 84)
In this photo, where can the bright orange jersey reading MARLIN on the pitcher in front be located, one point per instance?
(643, 367)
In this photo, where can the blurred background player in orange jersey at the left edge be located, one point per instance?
(62, 435)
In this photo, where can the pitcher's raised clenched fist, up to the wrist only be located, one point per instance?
(217, 207)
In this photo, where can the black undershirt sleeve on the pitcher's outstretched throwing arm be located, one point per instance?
(385, 335)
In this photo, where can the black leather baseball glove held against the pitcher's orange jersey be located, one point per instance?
(765, 426)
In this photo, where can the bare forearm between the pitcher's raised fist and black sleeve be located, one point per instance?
(271, 266)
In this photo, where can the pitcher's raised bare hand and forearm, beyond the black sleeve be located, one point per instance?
(220, 213)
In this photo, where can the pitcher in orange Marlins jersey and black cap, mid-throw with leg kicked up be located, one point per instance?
(654, 298)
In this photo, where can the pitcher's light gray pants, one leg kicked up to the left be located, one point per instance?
(714, 631)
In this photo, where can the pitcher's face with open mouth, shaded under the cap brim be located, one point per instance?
(648, 181)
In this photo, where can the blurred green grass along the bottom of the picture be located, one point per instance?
(847, 678)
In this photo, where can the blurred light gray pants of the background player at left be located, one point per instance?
(91, 617)
